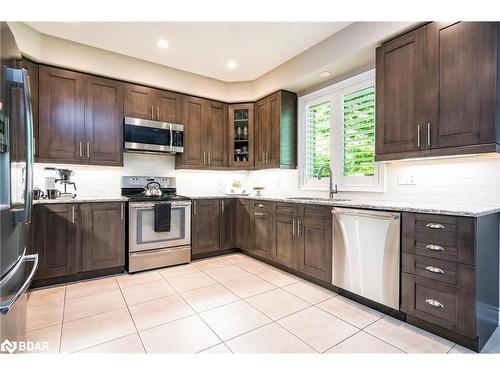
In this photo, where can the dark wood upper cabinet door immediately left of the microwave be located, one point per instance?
(104, 121)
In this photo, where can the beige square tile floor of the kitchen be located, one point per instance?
(226, 304)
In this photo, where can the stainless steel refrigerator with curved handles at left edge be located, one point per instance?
(17, 269)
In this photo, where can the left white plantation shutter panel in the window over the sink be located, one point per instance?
(317, 137)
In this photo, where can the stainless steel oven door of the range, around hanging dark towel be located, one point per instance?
(141, 226)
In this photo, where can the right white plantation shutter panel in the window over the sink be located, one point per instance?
(359, 133)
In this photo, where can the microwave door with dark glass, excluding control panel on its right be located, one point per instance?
(147, 135)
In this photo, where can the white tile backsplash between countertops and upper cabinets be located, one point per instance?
(466, 180)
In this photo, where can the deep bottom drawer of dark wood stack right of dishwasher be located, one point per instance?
(438, 303)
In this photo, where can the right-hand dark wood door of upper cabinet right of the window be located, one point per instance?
(461, 83)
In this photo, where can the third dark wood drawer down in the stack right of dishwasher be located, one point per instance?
(440, 270)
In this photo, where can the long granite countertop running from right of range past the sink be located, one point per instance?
(430, 208)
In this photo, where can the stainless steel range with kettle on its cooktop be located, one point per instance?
(159, 223)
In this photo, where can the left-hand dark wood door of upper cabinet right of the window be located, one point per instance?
(400, 87)
